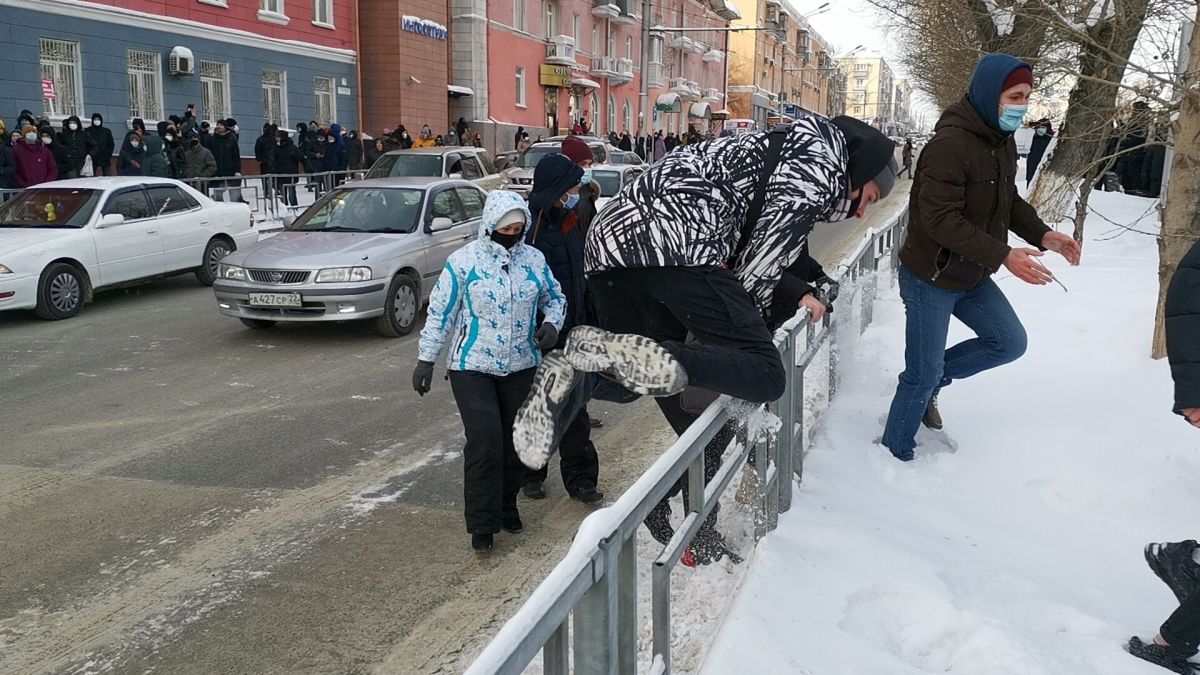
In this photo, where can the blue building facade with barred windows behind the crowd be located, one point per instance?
(83, 59)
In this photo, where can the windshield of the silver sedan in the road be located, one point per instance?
(364, 210)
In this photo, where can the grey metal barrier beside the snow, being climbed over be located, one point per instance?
(587, 607)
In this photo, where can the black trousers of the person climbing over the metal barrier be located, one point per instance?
(734, 353)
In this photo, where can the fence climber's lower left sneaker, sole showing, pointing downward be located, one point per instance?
(554, 401)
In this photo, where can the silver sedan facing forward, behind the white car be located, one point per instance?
(368, 250)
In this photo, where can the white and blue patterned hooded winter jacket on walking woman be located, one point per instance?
(488, 301)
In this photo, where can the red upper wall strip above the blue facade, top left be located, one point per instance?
(243, 15)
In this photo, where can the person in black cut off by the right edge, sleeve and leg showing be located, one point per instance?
(1175, 564)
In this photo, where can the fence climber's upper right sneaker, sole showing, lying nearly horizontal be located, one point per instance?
(638, 363)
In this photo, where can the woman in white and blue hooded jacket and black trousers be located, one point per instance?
(491, 289)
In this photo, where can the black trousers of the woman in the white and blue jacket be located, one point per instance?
(491, 469)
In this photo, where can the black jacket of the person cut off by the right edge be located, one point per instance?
(1183, 312)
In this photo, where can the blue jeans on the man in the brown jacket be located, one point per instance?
(929, 366)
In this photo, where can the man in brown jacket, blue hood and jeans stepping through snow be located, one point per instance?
(964, 204)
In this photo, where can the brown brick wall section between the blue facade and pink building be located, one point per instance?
(391, 57)
